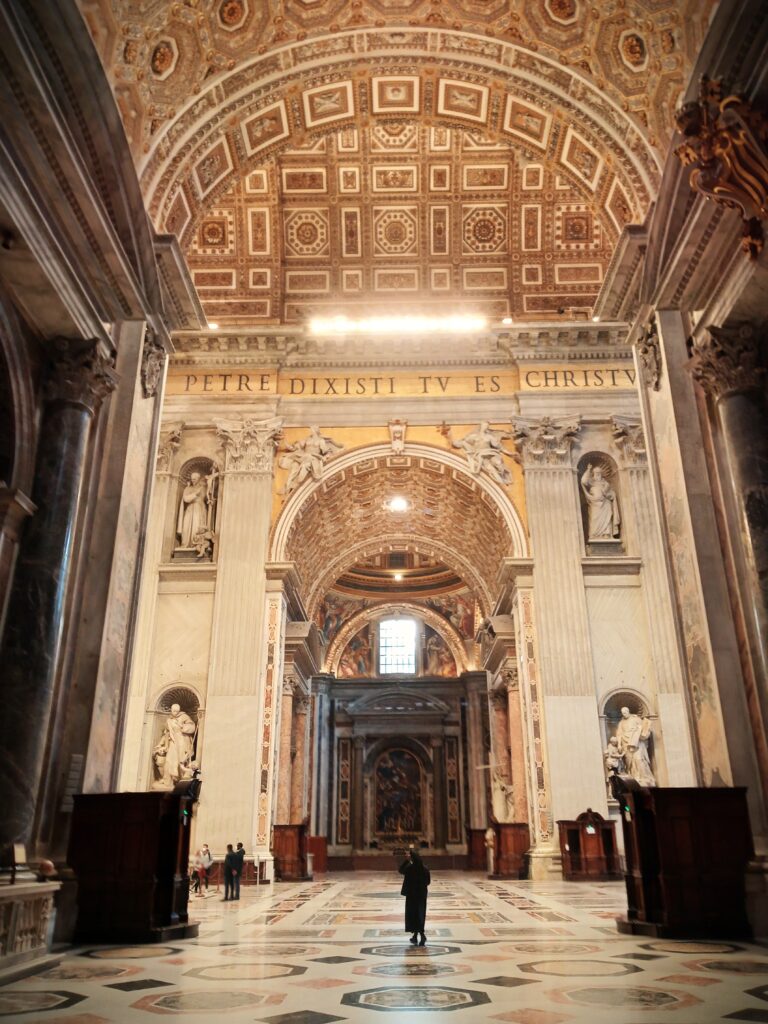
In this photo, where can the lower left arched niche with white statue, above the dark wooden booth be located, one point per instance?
(176, 736)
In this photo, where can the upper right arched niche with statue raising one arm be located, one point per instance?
(601, 501)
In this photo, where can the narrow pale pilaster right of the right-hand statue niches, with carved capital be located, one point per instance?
(645, 538)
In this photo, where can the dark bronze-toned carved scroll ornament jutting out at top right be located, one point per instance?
(727, 149)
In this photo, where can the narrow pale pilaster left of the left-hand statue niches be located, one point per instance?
(135, 770)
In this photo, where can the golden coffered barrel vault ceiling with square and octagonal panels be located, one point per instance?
(321, 157)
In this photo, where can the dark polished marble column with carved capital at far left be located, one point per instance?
(78, 380)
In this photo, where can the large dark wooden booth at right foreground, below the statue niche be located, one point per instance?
(688, 851)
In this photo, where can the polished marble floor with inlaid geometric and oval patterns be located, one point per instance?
(333, 950)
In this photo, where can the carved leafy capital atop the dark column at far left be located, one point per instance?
(80, 375)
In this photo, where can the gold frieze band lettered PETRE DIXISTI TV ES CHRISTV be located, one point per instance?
(241, 383)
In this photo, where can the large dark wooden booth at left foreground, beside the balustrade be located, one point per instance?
(131, 852)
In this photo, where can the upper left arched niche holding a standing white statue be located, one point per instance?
(196, 511)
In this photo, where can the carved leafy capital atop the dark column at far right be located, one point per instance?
(729, 360)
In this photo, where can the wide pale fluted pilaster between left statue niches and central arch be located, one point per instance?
(239, 663)
